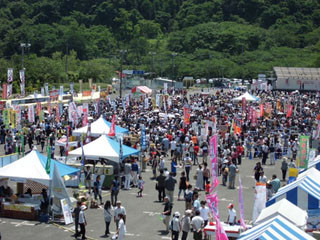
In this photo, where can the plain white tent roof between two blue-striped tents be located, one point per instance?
(286, 209)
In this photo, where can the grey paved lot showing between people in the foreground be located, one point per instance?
(142, 213)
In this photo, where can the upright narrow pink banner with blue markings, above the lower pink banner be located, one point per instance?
(213, 144)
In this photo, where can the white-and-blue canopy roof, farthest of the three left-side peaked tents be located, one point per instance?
(99, 127)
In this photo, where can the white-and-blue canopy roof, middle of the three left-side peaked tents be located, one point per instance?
(104, 147)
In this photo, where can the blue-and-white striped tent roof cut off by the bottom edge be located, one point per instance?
(277, 228)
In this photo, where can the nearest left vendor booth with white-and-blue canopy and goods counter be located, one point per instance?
(31, 168)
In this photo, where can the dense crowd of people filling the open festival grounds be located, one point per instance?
(173, 143)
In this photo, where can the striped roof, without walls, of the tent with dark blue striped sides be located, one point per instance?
(308, 183)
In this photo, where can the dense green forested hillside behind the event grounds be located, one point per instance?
(213, 38)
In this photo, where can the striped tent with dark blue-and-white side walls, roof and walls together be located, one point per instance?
(304, 192)
